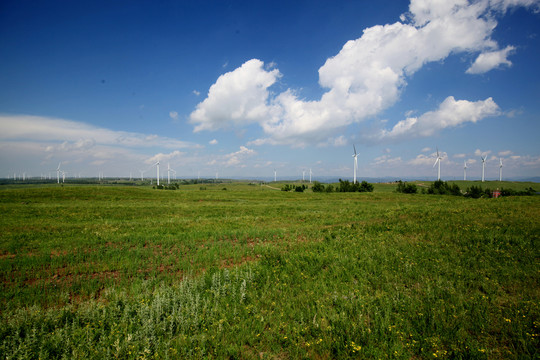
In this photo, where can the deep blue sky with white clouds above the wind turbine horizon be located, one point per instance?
(241, 88)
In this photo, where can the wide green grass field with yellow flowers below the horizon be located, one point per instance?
(245, 271)
